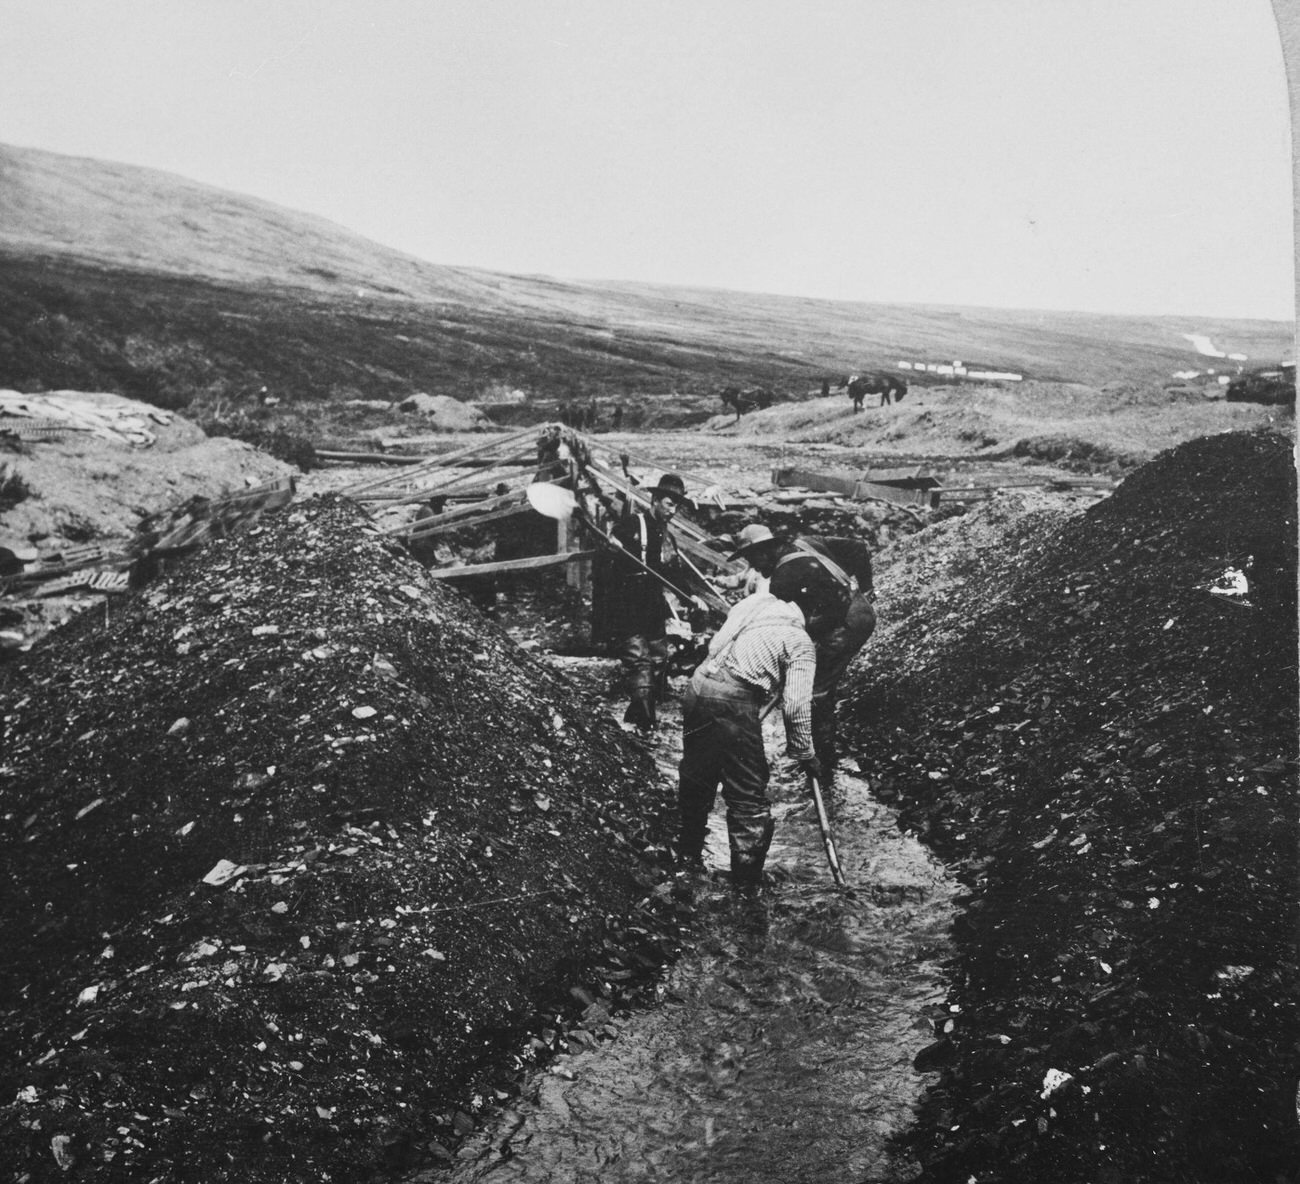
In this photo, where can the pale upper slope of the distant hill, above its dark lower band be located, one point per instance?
(127, 219)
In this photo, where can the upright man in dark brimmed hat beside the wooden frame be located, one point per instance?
(638, 610)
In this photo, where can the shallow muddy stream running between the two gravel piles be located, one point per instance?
(782, 1046)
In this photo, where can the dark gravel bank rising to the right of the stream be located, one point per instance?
(1111, 751)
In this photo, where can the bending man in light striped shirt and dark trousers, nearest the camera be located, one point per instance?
(762, 650)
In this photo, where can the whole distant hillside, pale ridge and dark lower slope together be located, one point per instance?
(161, 288)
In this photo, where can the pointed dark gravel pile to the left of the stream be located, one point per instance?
(298, 848)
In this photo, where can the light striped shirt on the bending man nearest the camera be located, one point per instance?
(764, 643)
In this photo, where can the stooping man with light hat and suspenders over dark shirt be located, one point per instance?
(830, 578)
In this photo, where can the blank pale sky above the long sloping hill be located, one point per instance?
(1124, 157)
